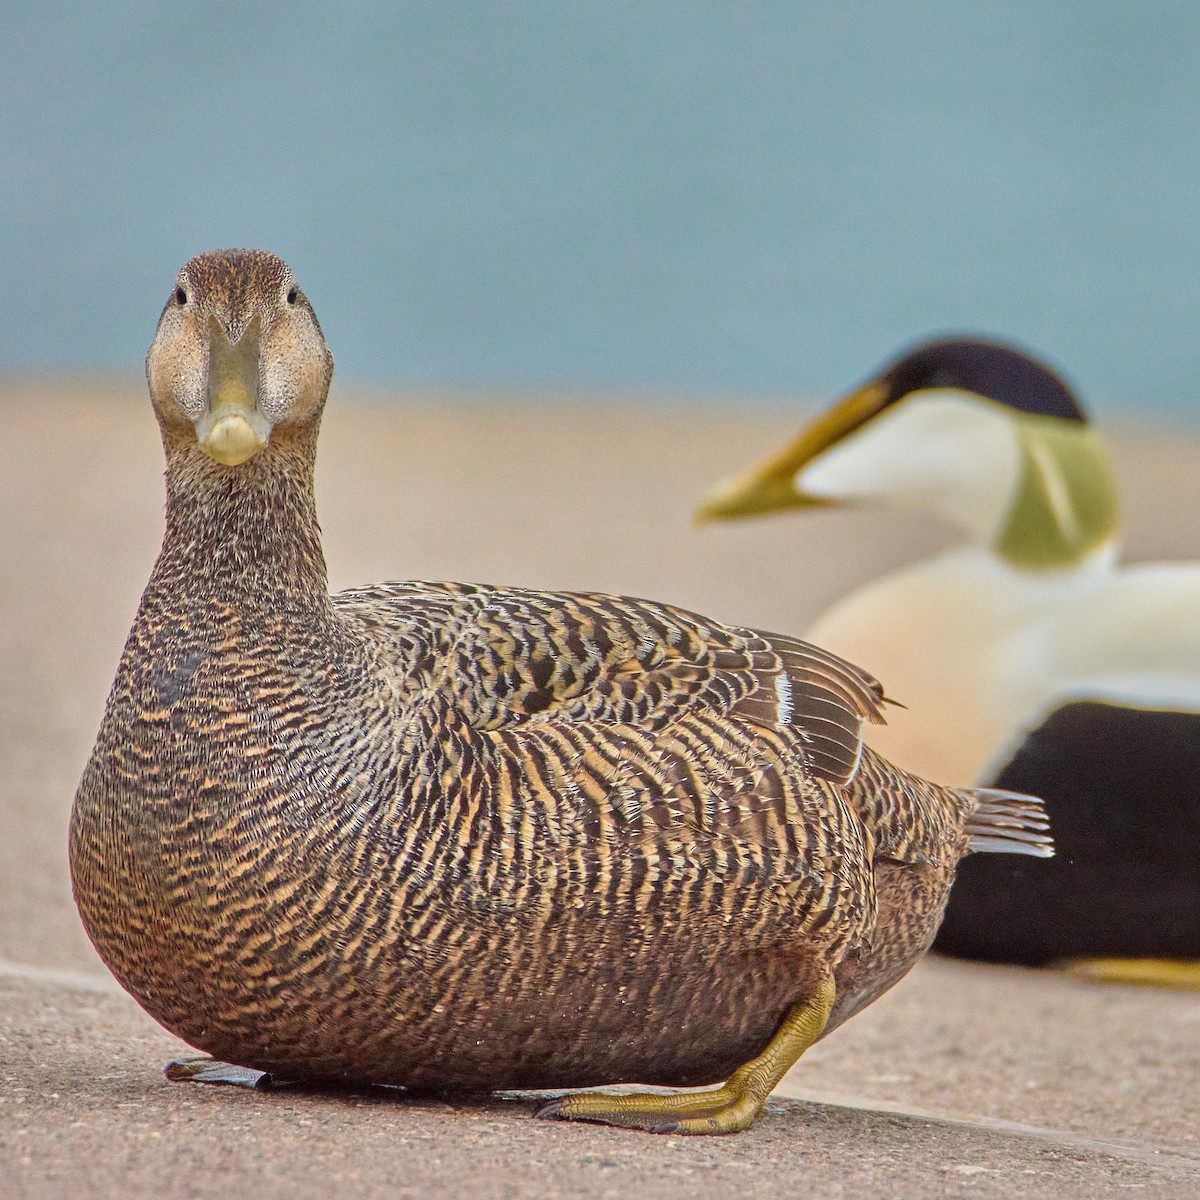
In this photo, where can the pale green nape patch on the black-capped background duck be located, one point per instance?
(1065, 509)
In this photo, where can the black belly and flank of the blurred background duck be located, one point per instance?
(1123, 790)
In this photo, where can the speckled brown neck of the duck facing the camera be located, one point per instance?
(250, 532)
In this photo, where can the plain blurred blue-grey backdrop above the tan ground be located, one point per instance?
(685, 197)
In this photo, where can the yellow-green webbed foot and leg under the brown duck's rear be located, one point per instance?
(727, 1109)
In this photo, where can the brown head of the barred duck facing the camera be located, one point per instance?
(238, 357)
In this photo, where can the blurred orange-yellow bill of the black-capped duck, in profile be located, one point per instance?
(771, 487)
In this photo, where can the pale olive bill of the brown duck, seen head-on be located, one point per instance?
(235, 429)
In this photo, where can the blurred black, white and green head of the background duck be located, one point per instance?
(974, 431)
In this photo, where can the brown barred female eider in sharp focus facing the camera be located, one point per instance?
(470, 838)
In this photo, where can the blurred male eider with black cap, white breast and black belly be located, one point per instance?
(1025, 658)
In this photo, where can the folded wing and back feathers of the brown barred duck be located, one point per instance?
(512, 657)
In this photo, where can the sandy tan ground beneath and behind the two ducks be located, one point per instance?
(963, 1082)
